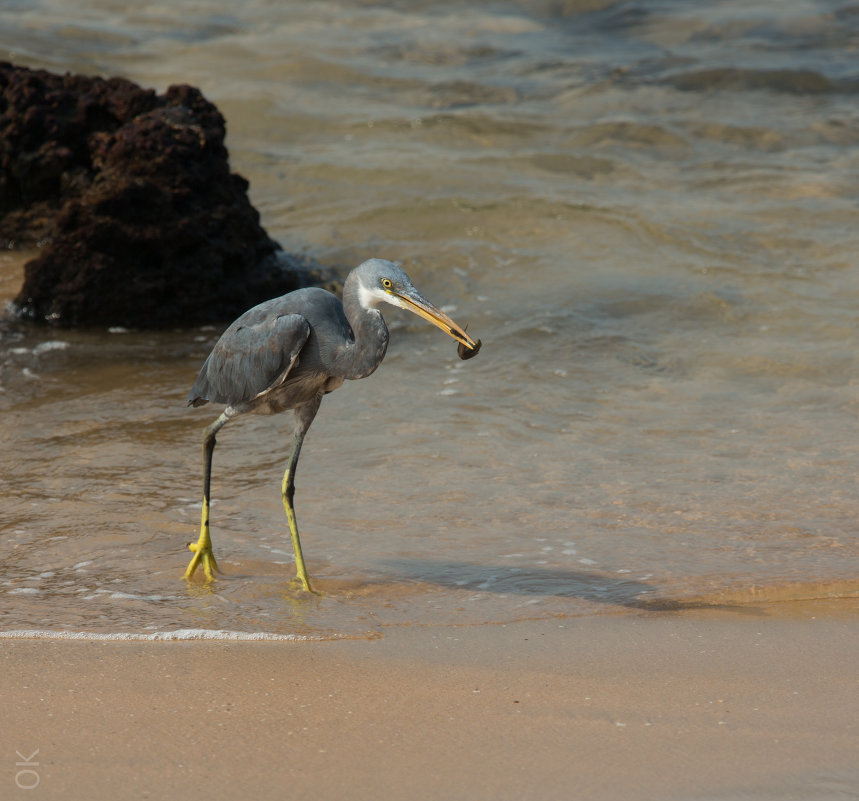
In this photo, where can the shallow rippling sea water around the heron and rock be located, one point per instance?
(646, 211)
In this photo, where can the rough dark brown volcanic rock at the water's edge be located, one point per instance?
(144, 223)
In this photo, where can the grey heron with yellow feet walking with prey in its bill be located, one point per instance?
(286, 353)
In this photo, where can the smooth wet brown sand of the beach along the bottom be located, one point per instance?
(717, 705)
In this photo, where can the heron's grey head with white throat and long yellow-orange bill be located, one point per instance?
(381, 281)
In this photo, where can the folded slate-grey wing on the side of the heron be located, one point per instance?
(249, 358)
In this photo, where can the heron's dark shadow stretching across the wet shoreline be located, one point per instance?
(535, 580)
